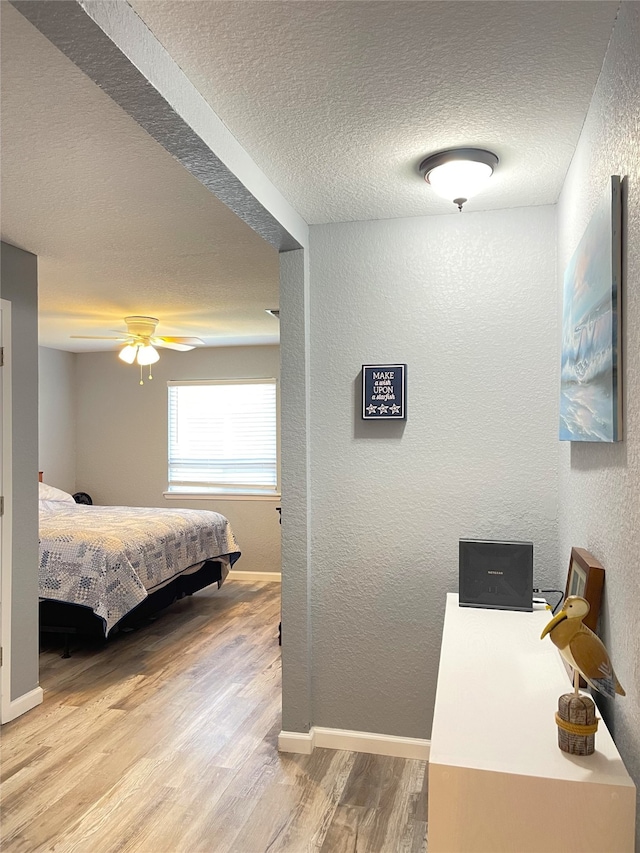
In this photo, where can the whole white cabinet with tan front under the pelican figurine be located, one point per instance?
(497, 781)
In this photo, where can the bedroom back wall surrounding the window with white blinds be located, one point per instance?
(122, 438)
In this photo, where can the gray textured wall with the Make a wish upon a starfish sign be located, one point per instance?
(469, 303)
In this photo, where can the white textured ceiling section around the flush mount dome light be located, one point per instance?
(338, 102)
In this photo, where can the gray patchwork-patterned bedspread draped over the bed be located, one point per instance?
(109, 557)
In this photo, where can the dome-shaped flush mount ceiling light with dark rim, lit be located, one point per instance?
(459, 173)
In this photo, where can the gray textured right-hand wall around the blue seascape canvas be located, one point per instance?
(600, 484)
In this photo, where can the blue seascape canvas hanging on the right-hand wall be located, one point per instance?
(591, 375)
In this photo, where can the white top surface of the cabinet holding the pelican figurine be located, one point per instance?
(498, 689)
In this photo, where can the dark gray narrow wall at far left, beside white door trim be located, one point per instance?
(19, 277)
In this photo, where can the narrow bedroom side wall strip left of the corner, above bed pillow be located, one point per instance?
(57, 418)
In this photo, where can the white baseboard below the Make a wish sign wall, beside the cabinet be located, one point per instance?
(369, 742)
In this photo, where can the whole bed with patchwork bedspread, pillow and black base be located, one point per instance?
(103, 568)
